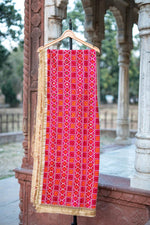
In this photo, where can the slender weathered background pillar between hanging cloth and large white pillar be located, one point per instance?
(122, 131)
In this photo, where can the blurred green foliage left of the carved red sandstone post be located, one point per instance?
(11, 62)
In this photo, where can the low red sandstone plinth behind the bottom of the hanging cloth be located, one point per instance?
(117, 204)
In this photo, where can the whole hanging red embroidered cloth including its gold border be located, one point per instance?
(67, 137)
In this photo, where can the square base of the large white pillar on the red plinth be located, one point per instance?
(141, 181)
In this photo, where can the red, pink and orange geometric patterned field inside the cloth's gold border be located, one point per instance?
(72, 132)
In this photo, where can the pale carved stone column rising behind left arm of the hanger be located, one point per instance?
(55, 12)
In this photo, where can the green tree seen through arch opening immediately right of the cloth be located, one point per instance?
(109, 60)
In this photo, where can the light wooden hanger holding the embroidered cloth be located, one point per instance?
(69, 33)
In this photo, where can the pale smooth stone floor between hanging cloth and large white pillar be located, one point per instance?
(118, 160)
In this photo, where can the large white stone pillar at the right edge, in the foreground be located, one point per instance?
(141, 178)
